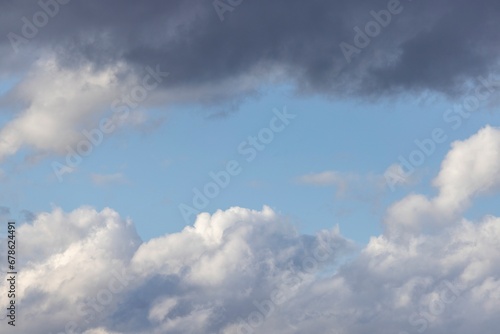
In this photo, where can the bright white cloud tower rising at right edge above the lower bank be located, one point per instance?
(470, 169)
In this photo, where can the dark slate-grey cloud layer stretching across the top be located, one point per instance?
(436, 45)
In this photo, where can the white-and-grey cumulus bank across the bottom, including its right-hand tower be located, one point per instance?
(246, 271)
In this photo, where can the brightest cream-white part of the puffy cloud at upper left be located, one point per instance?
(59, 104)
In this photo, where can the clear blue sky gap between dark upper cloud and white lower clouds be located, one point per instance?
(159, 168)
